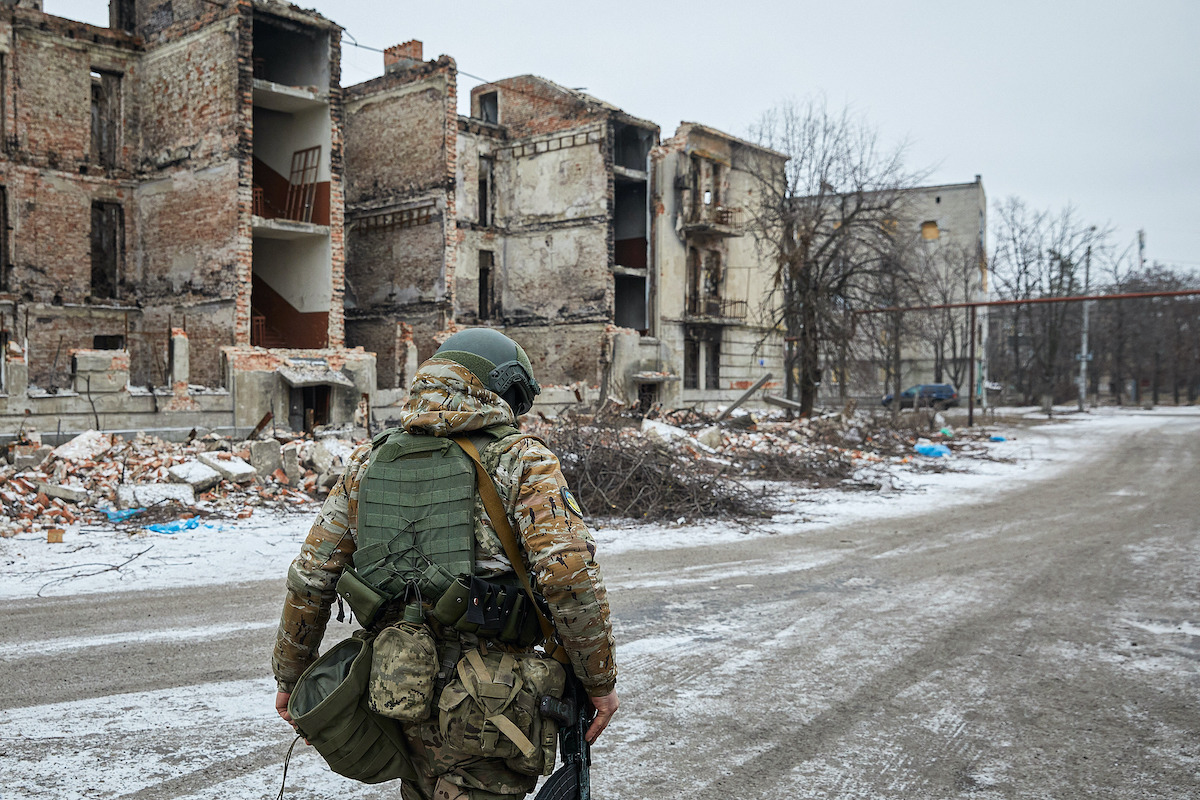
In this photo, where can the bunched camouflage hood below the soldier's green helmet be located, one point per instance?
(447, 400)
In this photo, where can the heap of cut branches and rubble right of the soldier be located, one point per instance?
(686, 465)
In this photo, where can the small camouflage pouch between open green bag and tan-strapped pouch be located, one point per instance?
(403, 671)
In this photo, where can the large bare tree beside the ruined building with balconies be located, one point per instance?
(829, 224)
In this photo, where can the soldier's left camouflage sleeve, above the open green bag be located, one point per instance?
(314, 575)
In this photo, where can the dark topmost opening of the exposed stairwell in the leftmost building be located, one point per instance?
(291, 53)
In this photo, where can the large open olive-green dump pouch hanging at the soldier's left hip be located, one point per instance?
(331, 711)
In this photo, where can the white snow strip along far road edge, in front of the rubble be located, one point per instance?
(104, 558)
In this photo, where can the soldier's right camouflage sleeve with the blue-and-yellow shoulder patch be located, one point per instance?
(561, 555)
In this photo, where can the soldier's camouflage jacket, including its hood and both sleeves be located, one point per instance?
(447, 400)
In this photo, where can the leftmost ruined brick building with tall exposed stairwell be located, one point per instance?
(171, 190)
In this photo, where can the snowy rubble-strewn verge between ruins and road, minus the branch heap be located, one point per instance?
(163, 534)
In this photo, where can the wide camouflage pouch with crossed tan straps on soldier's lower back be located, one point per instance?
(491, 709)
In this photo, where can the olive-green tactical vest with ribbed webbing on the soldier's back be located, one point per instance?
(417, 518)
